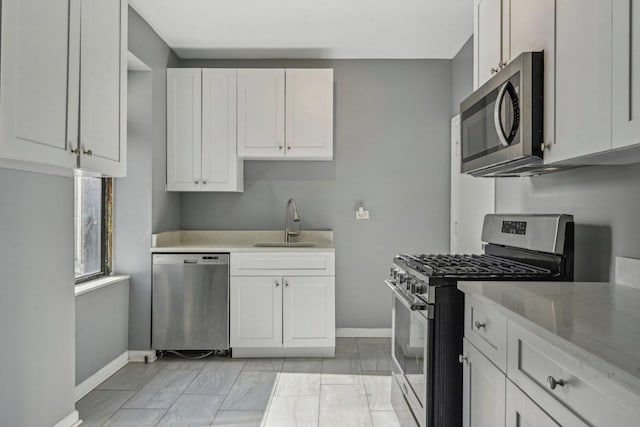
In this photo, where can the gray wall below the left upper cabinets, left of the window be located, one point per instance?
(36, 299)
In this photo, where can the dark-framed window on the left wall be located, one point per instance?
(92, 219)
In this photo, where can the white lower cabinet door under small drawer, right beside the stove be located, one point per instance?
(483, 390)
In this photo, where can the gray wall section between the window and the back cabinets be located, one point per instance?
(142, 206)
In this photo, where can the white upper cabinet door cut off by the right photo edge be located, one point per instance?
(626, 73)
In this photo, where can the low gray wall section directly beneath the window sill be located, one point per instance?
(102, 318)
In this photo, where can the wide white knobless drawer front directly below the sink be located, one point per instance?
(283, 263)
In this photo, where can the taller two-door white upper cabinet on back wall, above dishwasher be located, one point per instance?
(201, 131)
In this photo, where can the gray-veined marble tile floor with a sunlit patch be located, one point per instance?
(350, 390)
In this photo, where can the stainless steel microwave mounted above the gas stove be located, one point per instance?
(502, 122)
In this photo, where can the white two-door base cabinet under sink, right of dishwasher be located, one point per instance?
(282, 304)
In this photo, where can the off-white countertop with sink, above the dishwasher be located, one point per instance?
(194, 241)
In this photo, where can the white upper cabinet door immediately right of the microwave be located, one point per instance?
(583, 79)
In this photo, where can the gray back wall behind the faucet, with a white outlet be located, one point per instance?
(391, 153)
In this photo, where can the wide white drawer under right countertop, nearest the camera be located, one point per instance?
(533, 364)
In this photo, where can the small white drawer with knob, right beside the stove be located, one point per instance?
(487, 330)
